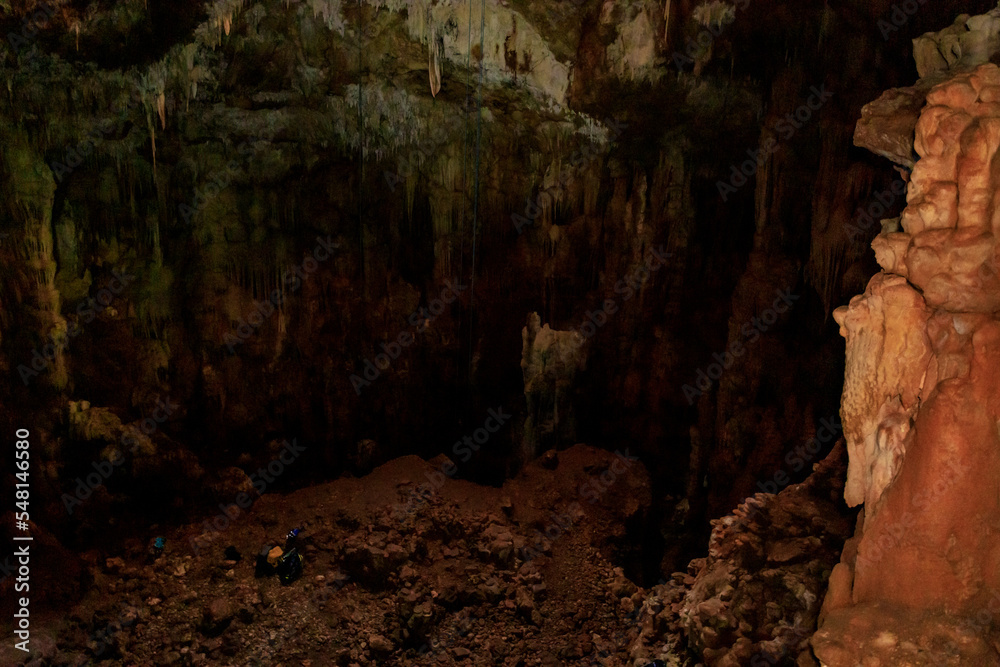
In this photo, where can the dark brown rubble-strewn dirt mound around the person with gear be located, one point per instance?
(464, 574)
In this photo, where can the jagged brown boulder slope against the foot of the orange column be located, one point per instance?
(755, 599)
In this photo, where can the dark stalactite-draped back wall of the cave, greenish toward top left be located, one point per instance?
(224, 157)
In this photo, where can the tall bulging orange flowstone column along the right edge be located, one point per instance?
(918, 583)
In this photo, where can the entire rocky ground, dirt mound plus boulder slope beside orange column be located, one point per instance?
(526, 574)
